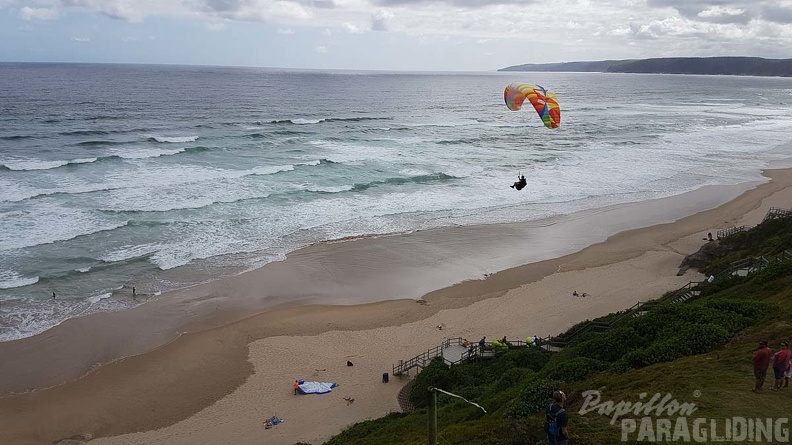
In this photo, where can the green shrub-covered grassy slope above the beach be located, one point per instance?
(698, 351)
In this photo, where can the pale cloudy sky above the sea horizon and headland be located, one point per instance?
(456, 35)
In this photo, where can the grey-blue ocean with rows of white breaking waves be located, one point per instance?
(162, 177)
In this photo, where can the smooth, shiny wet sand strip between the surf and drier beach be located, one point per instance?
(358, 271)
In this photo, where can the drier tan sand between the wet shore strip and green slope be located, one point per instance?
(218, 385)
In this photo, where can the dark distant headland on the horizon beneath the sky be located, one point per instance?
(732, 66)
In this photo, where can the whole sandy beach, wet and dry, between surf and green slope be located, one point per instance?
(207, 365)
